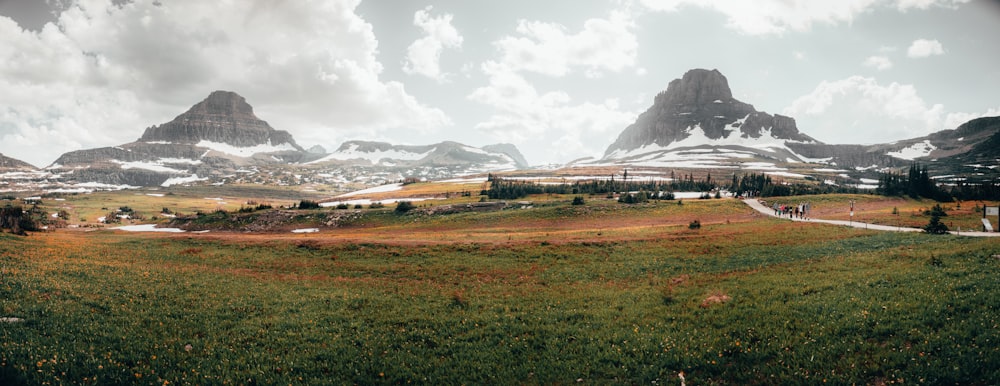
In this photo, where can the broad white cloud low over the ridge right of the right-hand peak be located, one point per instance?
(880, 113)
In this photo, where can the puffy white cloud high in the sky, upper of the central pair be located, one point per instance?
(546, 48)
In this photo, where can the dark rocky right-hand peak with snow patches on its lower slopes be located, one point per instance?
(702, 98)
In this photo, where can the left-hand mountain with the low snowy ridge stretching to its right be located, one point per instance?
(220, 139)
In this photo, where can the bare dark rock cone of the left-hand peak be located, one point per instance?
(223, 117)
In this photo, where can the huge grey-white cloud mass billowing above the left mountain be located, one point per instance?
(106, 71)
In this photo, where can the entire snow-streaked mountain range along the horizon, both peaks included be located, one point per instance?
(694, 123)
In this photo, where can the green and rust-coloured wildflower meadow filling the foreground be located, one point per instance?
(599, 294)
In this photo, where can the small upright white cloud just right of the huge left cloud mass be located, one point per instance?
(423, 56)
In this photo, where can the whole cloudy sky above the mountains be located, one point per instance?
(560, 78)
